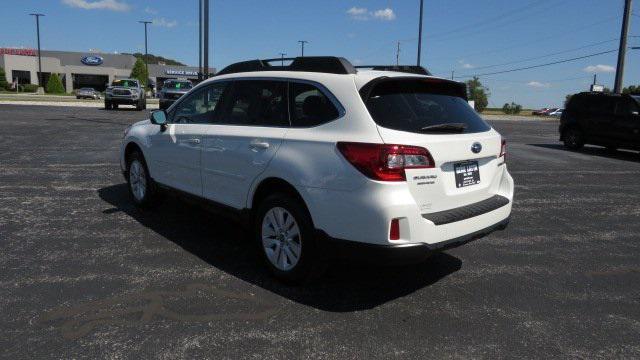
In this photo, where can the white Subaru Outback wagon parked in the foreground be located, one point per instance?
(323, 159)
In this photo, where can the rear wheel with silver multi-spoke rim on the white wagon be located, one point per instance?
(279, 245)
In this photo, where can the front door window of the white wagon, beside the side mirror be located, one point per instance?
(200, 106)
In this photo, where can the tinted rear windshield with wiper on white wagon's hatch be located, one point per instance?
(419, 106)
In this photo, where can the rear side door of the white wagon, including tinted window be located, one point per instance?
(246, 136)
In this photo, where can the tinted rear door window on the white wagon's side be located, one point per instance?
(257, 103)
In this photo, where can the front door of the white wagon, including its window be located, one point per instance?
(177, 151)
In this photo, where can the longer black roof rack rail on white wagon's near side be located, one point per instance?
(322, 64)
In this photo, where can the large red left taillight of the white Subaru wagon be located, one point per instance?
(385, 162)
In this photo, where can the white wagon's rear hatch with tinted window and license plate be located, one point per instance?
(434, 114)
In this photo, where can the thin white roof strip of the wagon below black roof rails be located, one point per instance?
(360, 78)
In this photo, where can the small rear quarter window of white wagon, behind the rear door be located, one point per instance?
(309, 106)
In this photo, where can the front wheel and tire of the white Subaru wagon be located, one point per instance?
(142, 189)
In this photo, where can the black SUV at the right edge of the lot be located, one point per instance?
(610, 120)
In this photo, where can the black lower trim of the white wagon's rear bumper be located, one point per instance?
(397, 254)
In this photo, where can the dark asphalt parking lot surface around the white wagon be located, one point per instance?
(85, 274)
